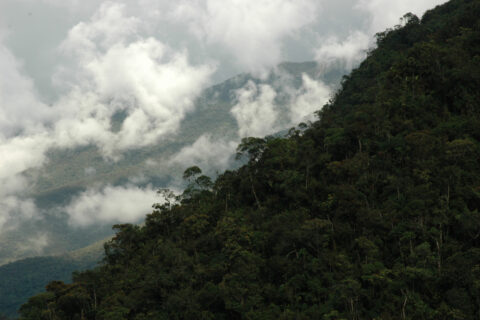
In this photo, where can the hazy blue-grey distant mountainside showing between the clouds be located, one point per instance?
(70, 171)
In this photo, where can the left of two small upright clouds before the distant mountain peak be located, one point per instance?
(255, 110)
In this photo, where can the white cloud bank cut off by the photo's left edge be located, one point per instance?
(22, 139)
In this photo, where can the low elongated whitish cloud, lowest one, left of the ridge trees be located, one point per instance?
(110, 204)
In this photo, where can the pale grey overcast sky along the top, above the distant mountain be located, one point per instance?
(233, 35)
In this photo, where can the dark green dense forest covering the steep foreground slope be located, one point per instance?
(370, 213)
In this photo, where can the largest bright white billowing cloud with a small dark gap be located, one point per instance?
(153, 85)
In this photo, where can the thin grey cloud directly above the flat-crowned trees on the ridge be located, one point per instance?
(209, 154)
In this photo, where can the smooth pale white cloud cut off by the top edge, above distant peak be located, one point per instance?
(251, 31)
